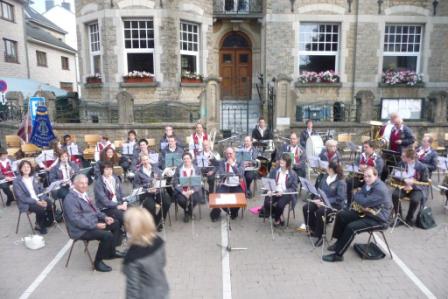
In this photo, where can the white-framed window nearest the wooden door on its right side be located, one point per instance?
(318, 47)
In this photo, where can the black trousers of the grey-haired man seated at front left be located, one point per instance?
(109, 239)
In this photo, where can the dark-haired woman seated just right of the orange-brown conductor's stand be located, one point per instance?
(286, 181)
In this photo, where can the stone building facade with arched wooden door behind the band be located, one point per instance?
(248, 50)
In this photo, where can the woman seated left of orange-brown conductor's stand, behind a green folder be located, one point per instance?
(187, 197)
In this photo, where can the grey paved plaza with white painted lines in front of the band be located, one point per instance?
(286, 267)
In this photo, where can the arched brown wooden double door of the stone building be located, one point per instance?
(235, 67)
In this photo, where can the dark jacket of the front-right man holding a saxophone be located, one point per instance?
(378, 197)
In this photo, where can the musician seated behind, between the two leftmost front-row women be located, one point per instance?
(64, 170)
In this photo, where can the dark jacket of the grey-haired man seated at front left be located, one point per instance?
(79, 215)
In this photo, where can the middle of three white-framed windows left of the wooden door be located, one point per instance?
(139, 45)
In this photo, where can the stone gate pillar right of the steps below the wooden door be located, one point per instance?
(284, 105)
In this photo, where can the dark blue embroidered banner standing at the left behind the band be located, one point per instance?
(42, 132)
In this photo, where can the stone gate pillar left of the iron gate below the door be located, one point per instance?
(211, 101)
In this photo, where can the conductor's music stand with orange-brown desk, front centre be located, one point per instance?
(227, 201)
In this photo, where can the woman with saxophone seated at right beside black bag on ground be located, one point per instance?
(413, 172)
